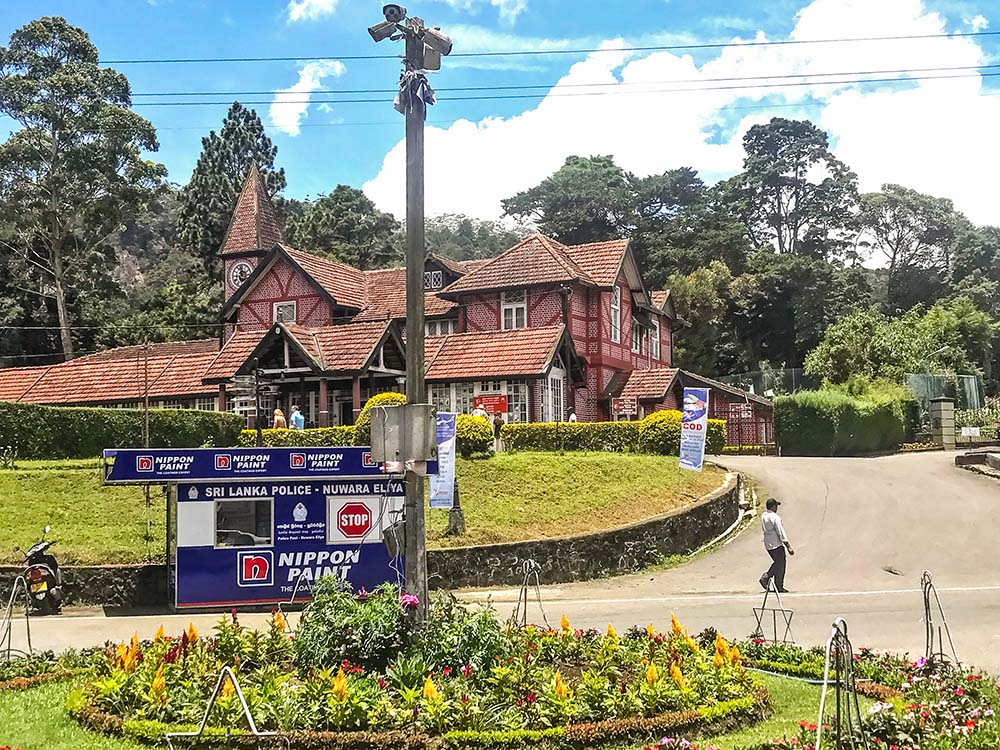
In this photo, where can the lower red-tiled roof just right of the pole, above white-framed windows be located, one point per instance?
(523, 352)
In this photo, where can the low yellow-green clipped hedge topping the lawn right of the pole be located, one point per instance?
(659, 433)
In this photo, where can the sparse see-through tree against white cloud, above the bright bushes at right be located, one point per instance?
(913, 233)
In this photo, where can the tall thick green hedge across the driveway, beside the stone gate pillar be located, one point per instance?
(832, 423)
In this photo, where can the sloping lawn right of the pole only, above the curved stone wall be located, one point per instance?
(529, 495)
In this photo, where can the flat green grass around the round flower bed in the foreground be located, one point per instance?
(37, 718)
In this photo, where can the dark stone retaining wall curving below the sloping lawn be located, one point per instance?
(560, 559)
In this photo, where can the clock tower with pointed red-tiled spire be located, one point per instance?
(253, 231)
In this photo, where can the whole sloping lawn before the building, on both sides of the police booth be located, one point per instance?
(510, 497)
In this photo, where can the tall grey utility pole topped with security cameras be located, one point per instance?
(423, 50)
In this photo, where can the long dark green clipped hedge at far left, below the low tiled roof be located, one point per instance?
(37, 432)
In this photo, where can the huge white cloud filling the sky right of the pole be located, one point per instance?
(933, 136)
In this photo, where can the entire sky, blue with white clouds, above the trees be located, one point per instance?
(482, 151)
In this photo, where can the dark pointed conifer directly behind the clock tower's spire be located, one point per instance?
(207, 201)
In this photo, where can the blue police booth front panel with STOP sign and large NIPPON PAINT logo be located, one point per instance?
(243, 543)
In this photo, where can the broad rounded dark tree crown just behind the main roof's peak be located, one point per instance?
(583, 201)
